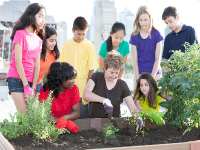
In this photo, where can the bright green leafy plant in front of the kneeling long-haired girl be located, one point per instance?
(152, 116)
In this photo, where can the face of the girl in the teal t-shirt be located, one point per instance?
(117, 38)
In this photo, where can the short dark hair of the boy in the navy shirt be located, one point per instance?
(169, 11)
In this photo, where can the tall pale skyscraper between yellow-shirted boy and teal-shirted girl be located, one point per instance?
(103, 17)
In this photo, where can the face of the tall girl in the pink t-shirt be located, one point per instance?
(40, 18)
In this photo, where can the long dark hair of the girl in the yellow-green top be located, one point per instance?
(153, 88)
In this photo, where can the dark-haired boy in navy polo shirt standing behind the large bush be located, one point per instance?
(180, 34)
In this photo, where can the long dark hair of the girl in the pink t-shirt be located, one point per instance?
(28, 18)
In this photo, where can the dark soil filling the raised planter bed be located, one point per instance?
(90, 139)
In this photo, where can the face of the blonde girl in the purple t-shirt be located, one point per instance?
(144, 21)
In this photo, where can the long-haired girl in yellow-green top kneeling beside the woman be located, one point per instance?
(145, 96)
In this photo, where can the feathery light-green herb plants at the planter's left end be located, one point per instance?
(36, 122)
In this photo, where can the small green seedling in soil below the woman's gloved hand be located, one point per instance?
(109, 130)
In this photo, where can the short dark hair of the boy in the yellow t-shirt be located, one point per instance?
(80, 23)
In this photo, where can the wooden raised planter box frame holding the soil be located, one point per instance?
(98, 123)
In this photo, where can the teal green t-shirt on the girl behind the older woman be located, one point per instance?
(123, 49)
